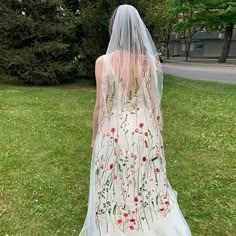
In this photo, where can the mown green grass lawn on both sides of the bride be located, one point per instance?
(45, 155)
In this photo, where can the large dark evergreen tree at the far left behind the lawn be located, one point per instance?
(36, 38)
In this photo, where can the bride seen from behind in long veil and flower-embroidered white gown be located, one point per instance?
(130, 194)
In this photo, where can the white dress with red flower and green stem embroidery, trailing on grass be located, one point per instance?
(130, 194)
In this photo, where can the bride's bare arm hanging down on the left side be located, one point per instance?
(98, 75)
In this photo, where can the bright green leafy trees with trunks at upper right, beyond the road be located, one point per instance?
(214, 15)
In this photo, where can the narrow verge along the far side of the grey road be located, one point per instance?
(201, 61)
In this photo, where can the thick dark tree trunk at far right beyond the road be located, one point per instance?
(226, 45)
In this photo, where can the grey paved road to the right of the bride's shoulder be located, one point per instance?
(226, 73)
